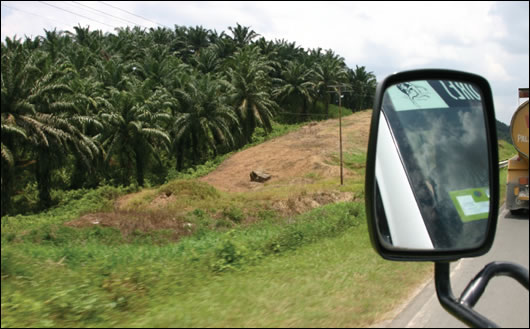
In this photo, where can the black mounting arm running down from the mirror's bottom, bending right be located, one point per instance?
(445, 295)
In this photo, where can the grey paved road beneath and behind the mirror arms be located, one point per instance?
(505, 301)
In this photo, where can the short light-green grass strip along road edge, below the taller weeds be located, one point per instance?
(335, 282)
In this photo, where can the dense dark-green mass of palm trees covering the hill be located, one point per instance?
(83, 108)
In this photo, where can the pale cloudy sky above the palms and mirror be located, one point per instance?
(487, 38)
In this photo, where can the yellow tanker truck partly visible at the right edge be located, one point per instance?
(517, 179)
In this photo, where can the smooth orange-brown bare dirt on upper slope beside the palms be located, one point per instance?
(291, 158)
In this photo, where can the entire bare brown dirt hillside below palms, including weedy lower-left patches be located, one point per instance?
(295, 161)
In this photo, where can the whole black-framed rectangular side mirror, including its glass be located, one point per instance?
(432, 180)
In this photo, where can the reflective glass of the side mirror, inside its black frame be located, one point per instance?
(432, 170)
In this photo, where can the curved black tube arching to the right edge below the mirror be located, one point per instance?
(476, 287)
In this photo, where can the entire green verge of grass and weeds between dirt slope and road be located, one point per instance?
(315, 269)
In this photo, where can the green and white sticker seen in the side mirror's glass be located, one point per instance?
(471, 204)
